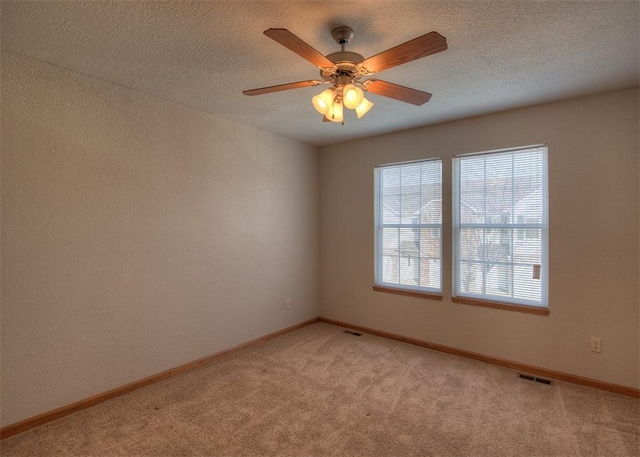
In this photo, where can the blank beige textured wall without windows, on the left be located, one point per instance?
(138, 235)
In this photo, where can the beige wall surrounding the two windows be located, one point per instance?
(594, 252)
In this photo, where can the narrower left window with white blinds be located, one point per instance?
(408, 225)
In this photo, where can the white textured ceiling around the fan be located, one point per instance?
(502, 54)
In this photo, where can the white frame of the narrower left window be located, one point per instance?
(379, 226)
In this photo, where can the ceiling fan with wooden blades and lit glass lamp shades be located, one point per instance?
(345, 71)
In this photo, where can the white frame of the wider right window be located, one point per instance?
(514, 227)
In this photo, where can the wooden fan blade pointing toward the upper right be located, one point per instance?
(428, 44)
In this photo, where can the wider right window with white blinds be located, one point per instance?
(501, 226)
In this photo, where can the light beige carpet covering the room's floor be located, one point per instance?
(322, 392)
